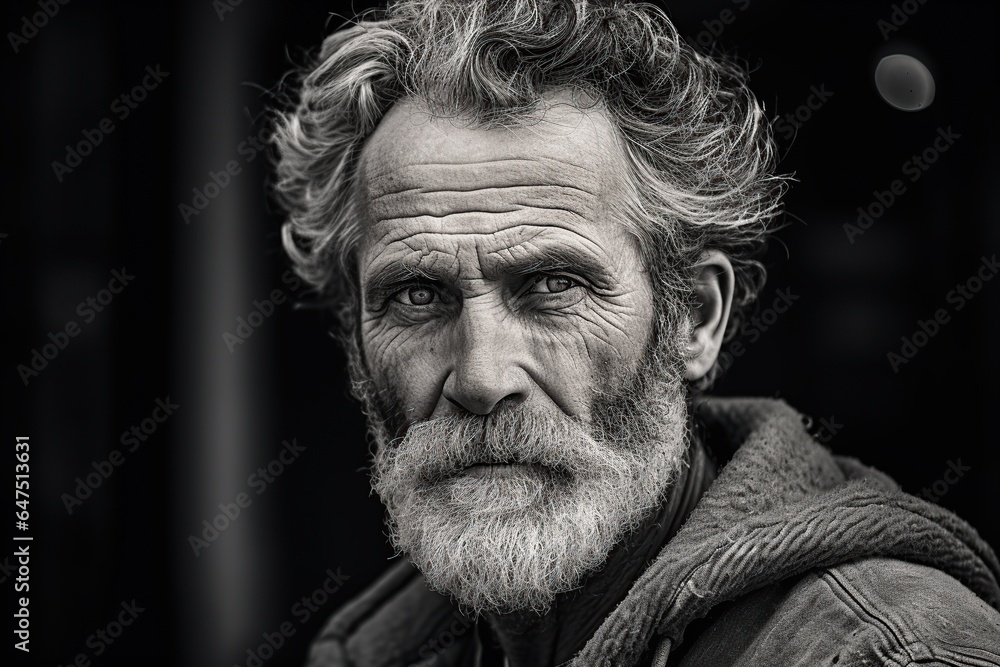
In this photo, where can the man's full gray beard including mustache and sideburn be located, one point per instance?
(506, 511)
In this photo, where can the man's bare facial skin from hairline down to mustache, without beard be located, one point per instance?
(493, 268)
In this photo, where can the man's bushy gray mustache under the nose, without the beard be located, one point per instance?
(441, 448)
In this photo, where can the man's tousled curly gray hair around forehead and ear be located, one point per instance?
(698, 148)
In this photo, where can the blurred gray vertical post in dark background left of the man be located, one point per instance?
(226, 434)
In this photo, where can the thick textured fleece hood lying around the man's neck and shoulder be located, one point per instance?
(781, 506)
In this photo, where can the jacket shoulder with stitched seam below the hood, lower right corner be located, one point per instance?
(873, 611)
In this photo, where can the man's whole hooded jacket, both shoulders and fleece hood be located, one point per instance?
(792, 556)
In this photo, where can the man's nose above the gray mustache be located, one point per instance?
(487, 364)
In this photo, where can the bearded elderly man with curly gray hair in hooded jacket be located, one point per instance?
(538, 221)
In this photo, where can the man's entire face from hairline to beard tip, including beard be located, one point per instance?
(506, 322)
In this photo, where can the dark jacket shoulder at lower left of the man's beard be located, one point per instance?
(395, 621)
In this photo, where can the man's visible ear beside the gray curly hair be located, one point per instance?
(713, 293)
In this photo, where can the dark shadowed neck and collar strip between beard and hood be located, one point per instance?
(528, 639)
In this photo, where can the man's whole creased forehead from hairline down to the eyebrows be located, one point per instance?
(565, 178)
